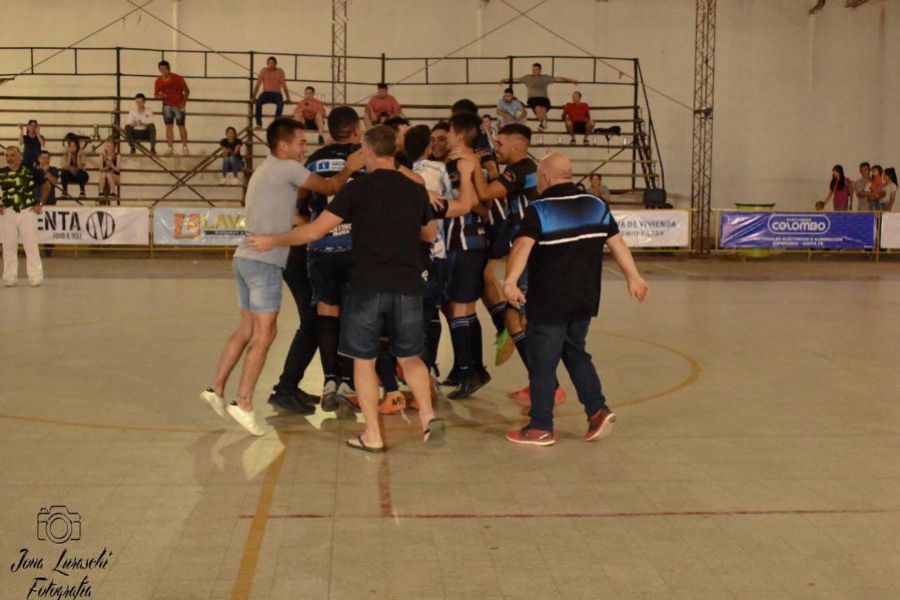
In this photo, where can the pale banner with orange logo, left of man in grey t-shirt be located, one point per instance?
(198, 226)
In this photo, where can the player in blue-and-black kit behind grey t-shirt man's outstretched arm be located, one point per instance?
(329, 259)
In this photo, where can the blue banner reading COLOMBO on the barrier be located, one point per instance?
(805, 231)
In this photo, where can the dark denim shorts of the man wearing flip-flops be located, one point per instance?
(367, 316)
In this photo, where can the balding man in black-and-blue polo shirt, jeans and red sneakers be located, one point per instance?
(561, 243)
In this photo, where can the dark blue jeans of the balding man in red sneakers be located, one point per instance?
(547, 344)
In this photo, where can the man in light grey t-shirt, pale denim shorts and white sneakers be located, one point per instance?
(271, 208)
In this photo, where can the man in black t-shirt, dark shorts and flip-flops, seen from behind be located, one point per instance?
(391, 216)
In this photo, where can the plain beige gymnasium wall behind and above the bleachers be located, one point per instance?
(795, 93)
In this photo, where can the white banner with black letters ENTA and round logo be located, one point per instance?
(98, 225)
